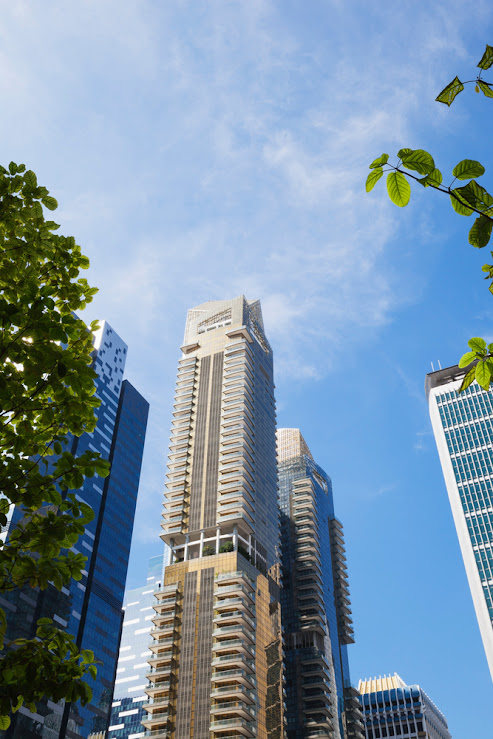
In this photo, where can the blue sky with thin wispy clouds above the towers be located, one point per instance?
(200, 150)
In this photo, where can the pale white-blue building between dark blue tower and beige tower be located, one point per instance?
(127, 711)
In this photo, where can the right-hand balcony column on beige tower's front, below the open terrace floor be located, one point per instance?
(233, 691)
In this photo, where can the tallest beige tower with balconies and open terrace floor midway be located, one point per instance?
(216, 669)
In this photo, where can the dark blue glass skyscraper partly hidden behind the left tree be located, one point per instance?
(91, 609)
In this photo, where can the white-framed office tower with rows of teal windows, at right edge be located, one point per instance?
(463, 428)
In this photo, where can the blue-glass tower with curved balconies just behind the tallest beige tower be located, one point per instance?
(315, 605)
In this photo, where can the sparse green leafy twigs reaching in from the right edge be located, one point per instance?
(466, 200)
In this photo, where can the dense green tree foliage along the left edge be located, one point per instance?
(47, 395)
